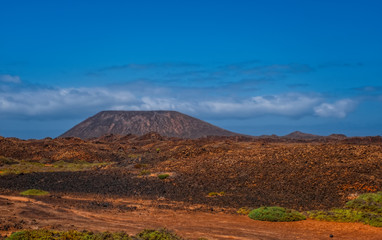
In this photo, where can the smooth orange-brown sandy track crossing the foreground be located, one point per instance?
(40, 213)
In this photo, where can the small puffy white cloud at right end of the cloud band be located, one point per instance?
(337, 109)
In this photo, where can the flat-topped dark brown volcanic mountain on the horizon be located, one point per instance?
(165, 123)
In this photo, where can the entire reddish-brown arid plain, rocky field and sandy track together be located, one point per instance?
(112, 183)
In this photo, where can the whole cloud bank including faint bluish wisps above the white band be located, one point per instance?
(232, 91)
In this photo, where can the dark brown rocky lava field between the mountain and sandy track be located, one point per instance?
(210, 175)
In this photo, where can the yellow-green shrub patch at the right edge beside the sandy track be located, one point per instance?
(367, 208)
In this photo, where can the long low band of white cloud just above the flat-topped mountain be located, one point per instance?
(81, 102)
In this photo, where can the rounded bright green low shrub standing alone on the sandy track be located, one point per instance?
(276, 214)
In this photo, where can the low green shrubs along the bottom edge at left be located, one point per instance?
(72, 234)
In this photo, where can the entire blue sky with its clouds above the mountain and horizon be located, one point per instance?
(254, 67)
